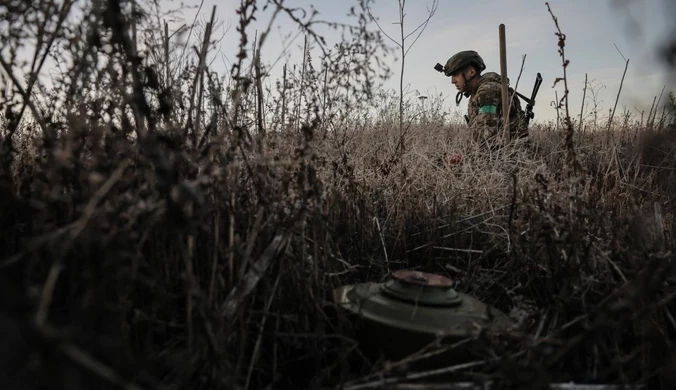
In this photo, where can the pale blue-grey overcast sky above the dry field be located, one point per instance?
(593, 28)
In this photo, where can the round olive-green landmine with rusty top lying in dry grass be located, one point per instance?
(411, 309)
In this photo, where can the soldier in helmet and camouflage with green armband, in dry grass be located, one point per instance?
(484, 114)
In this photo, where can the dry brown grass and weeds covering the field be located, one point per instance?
(164, 226)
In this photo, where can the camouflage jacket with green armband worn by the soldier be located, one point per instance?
(485, 111)
